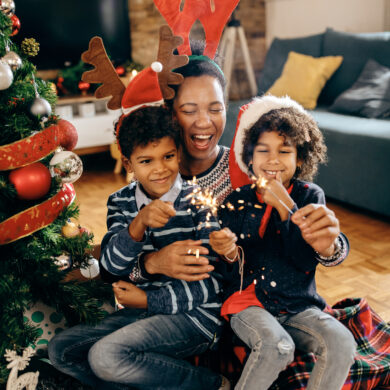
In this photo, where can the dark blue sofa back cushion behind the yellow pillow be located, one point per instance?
(277, 56)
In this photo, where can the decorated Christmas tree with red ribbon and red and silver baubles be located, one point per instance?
(40, 239)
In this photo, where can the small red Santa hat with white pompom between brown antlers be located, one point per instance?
(143, 90)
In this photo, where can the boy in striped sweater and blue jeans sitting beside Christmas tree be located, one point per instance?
(164, 321)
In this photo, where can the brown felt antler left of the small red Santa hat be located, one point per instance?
(104, 72)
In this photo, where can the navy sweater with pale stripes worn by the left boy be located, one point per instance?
(200, 300)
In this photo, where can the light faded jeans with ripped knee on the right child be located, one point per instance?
(273, 340)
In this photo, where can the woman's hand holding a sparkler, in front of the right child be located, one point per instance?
(319, 227)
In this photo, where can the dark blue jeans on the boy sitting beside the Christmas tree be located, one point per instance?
(130, 350)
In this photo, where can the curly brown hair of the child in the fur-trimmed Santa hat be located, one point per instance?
(291, 123)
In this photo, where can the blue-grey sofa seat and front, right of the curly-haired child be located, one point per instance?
(358, 160)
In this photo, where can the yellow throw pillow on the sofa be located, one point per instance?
(303, 77)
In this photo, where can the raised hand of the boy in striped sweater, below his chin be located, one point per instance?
(155, 214)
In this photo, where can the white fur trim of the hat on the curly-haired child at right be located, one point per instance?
(251, 114)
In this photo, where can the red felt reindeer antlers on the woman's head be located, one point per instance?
(213, 14)
